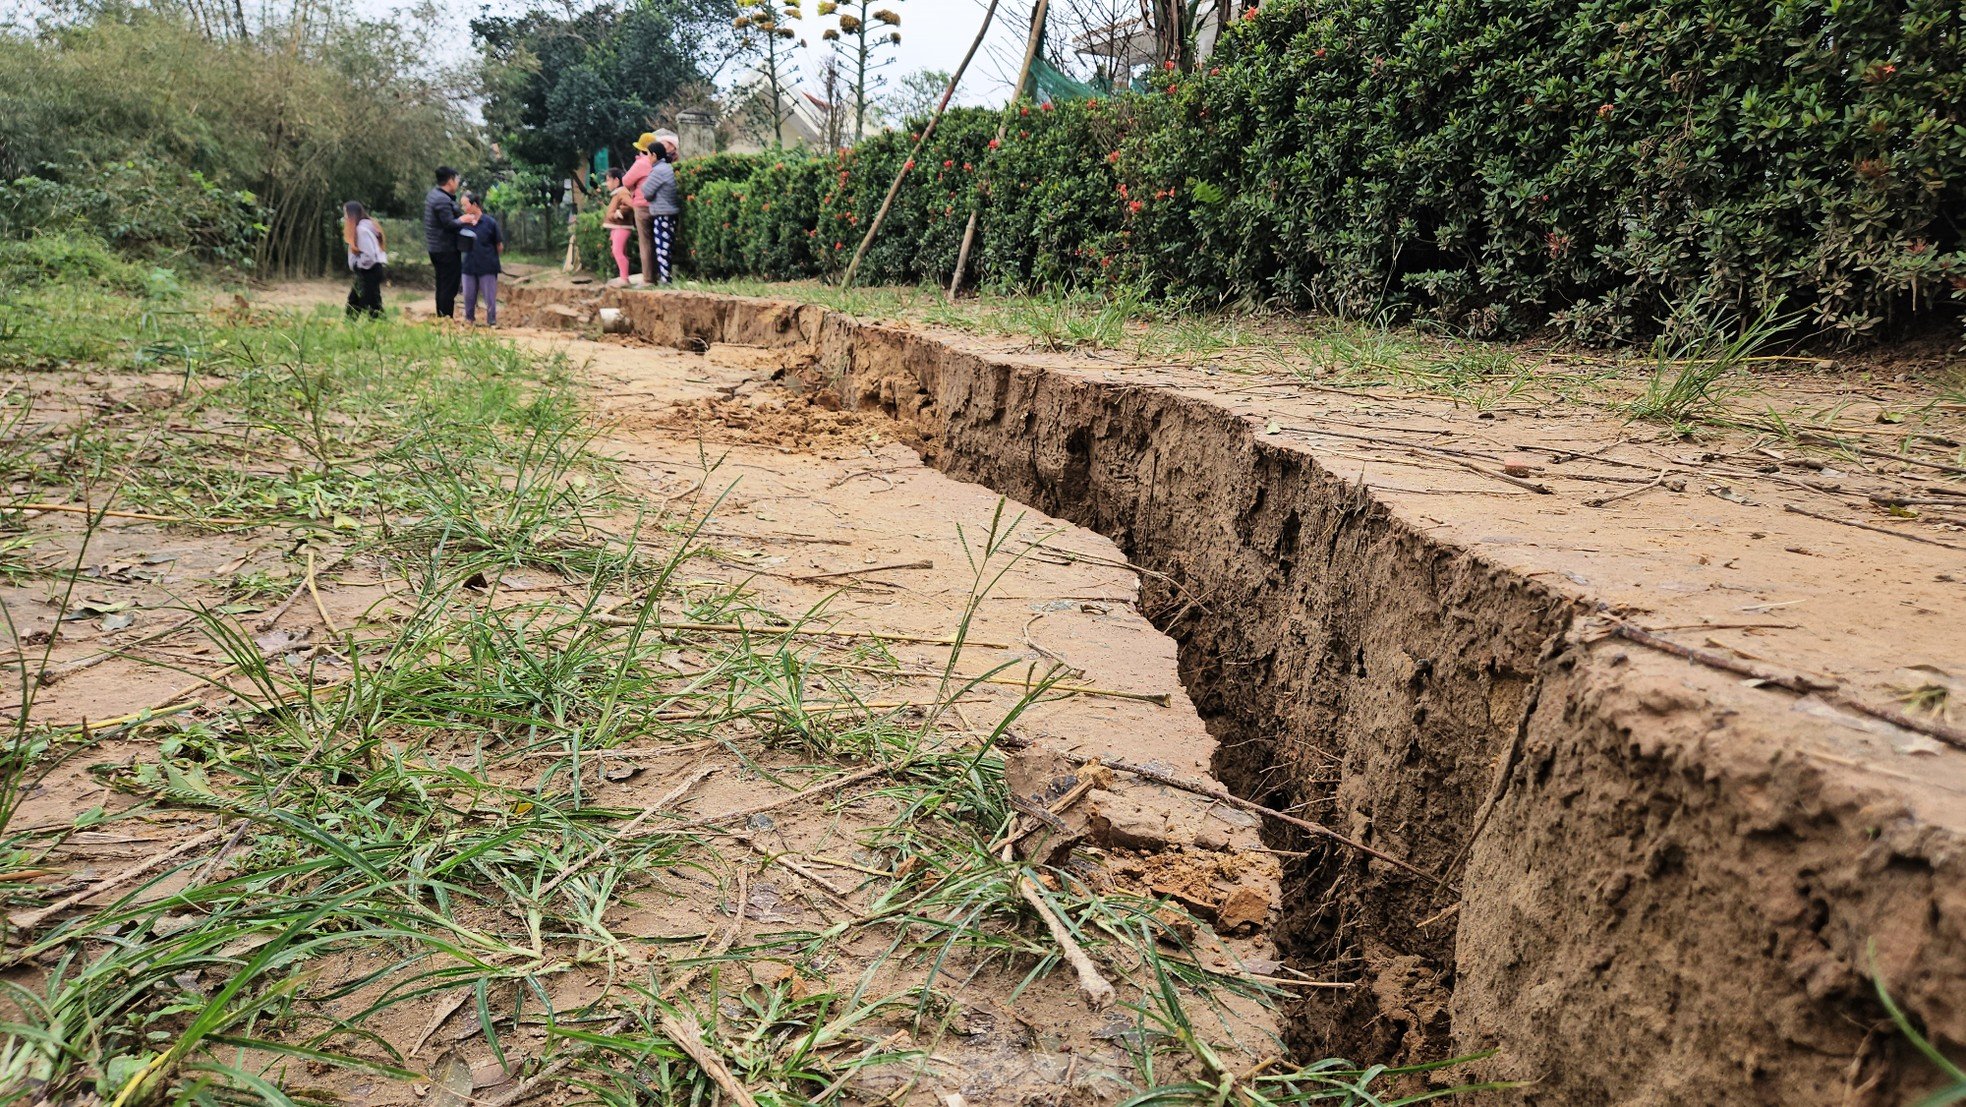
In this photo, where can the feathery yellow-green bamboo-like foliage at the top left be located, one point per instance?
(170, 141)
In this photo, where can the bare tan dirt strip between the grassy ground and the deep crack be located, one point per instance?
(827, 518)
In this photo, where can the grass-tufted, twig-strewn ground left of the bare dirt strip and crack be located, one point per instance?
(378, 845)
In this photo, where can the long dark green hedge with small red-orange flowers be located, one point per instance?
(1491, 164)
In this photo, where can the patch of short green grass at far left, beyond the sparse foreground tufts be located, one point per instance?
(306, 420)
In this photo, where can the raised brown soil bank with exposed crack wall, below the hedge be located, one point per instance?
(1654, 880)
